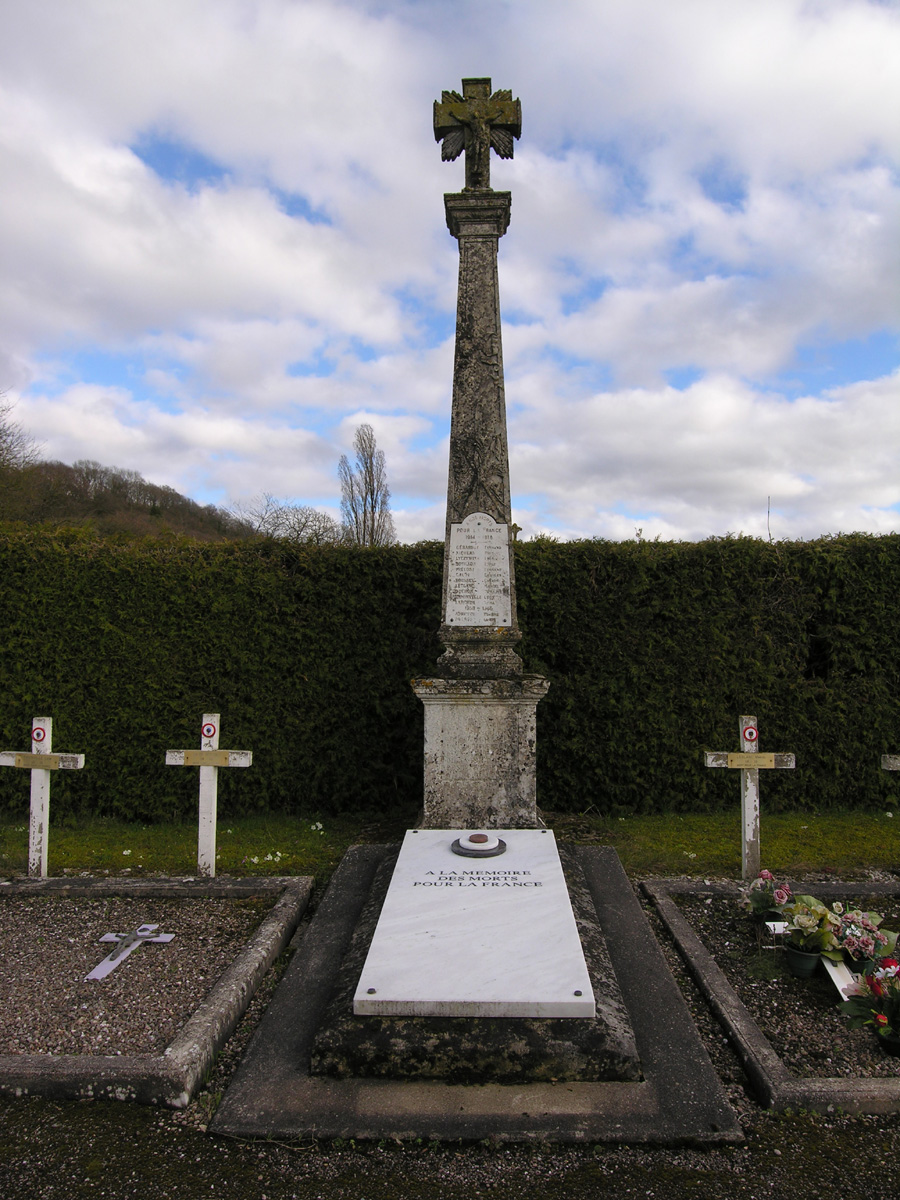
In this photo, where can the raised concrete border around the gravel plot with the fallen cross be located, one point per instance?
(173, 1077)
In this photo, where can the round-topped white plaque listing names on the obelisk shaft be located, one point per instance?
(478, 591)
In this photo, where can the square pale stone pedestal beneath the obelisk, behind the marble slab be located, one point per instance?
(481, 753)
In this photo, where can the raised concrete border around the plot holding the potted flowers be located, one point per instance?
(776, 1087)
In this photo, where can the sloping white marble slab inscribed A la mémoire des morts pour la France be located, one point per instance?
(463, 937)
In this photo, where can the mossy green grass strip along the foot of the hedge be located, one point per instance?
(843, 844)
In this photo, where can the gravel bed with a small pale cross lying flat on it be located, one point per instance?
(50, 945)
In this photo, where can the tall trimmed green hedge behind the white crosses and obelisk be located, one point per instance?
(653, 651)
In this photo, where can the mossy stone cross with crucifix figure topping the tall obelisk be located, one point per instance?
(476, 123)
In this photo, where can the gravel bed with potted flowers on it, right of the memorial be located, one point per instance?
(800, 1017)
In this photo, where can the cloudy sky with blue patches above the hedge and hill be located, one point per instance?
(223, 248)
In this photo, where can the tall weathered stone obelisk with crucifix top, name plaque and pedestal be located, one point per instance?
(481, 711)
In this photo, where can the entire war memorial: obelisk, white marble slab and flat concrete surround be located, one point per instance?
(479, 981)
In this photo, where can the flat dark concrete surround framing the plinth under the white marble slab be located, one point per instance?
(681, 1101)
